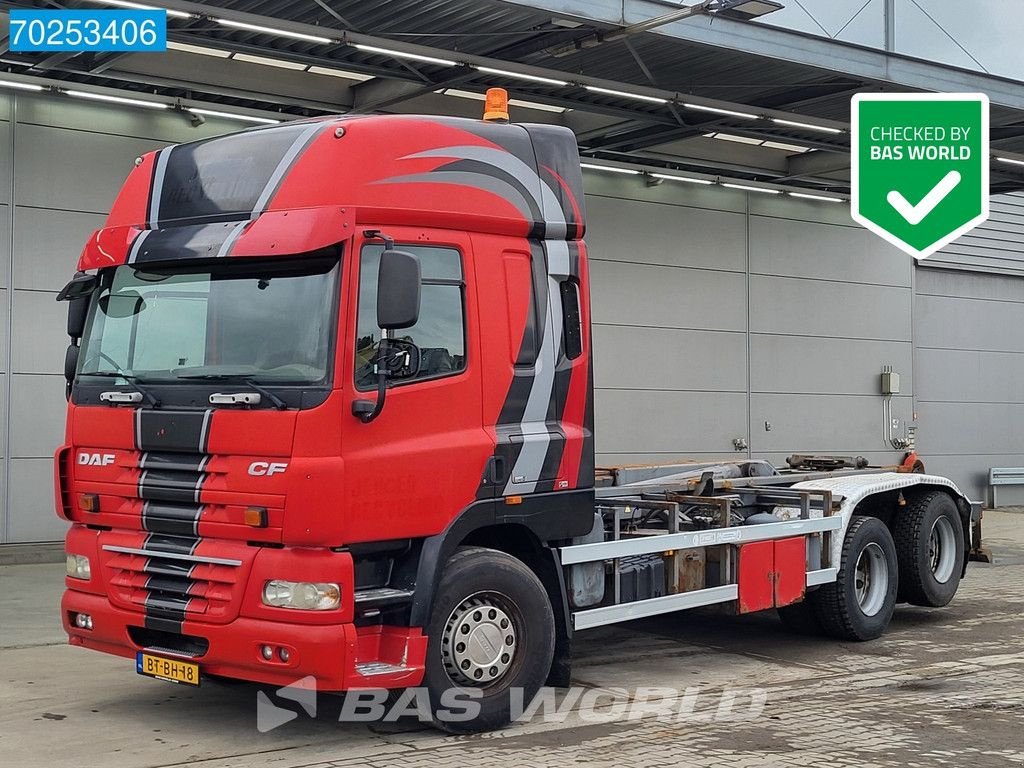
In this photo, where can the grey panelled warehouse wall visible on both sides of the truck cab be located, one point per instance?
(714, 314)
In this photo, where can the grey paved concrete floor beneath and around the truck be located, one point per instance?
(944, 689)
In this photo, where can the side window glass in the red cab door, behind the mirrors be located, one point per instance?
(441, 332)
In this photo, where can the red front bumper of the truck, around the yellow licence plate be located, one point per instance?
(332, 654)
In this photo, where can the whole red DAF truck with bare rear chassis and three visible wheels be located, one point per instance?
(331, 414)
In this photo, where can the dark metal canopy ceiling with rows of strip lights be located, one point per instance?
(668, 108)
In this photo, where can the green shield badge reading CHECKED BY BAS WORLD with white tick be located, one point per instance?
(920, 167)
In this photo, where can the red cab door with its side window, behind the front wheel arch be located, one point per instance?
(414, 468)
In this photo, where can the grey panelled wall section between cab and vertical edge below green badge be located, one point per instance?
(760, 319)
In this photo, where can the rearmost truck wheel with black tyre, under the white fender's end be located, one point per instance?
(929, 549)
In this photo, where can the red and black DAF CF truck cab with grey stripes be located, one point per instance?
(262, 474)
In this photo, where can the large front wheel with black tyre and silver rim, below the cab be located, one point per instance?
(492, 629)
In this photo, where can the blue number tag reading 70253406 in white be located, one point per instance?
(82, 31)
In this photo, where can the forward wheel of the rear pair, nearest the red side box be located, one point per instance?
(861, 603)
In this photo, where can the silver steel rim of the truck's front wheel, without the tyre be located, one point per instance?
(481, 641)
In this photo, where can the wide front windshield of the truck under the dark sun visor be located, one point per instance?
(270, 323)
